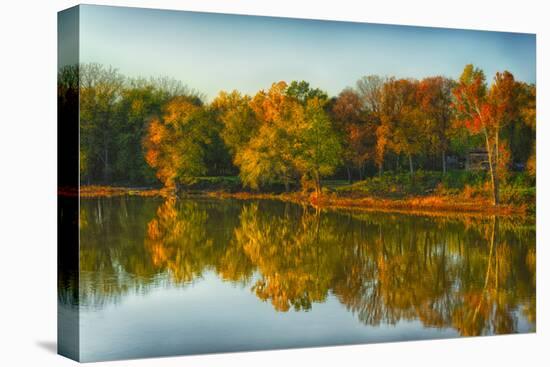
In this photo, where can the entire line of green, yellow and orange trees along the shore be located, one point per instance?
(138, 131)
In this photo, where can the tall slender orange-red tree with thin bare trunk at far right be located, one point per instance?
(487, 111)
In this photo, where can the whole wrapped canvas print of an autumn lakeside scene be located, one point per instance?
(235, 183)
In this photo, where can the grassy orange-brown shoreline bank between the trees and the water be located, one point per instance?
(393, 193)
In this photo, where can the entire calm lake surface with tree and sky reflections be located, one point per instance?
(164, 277)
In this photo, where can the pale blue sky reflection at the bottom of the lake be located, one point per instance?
(215, 316)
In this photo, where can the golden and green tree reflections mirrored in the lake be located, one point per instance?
(475, 275)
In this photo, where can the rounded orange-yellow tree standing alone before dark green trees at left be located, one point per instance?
(176, 142)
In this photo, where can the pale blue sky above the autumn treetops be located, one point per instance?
(212, 52)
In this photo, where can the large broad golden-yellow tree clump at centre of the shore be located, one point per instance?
(289, 135)
